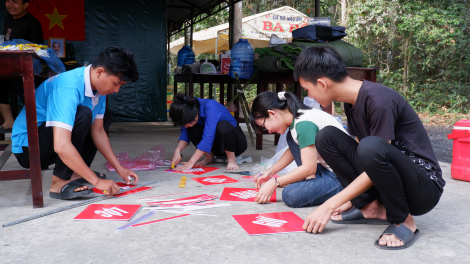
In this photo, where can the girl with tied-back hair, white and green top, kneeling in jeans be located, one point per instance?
(311, 183)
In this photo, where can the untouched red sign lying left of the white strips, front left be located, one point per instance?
(109, 212)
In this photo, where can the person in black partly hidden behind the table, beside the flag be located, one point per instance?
(18, 24)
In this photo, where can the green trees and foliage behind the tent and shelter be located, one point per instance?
(421, 47)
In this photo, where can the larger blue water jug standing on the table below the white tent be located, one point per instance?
(242, 56)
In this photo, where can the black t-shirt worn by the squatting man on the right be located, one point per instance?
(382, 112)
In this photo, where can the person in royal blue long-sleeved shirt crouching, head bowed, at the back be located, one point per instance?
(210, 127)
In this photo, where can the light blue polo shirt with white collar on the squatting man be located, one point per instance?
(57, 100)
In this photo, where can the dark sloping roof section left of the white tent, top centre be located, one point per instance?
(181, 11)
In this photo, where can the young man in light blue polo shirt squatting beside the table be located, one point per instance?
(72, 119)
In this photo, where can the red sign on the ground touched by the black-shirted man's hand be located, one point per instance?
(270, 223)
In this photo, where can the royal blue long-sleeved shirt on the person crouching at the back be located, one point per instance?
(210, 114)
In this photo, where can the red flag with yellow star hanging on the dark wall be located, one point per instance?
(60, 18)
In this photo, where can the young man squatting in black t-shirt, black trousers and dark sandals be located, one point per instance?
(390, 172)
